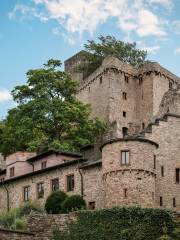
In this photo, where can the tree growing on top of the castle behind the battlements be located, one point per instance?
(95, 52)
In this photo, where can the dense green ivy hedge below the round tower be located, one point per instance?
(126, 223)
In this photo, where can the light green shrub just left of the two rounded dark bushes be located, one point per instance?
(28, 207)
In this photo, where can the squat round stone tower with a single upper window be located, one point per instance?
(129, 172)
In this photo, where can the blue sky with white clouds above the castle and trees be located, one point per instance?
(33, 31)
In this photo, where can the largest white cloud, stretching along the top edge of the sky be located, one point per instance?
(86, 15)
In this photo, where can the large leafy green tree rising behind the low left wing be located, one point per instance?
(48, 115)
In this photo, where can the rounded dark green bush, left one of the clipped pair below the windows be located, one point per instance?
(54, 202)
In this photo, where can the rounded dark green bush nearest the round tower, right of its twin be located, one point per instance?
(73, 203)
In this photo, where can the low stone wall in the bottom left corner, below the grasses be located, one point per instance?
(15, 235)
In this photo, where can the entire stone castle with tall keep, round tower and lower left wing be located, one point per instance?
(136, 163)
